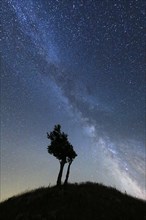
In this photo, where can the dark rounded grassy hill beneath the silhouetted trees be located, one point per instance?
(87, 201)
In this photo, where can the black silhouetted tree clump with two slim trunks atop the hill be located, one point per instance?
(61, 148)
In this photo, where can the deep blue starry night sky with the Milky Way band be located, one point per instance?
(79, 63)
